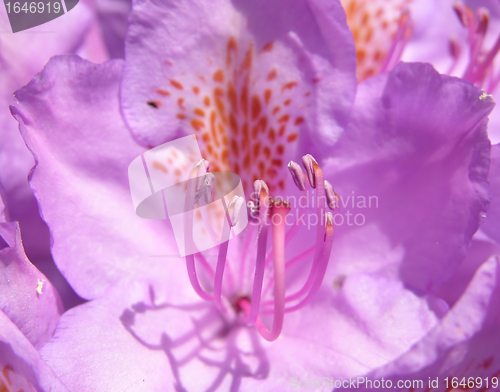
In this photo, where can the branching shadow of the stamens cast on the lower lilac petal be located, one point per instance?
(197, 335)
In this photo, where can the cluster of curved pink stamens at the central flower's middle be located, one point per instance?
(263, 295)
